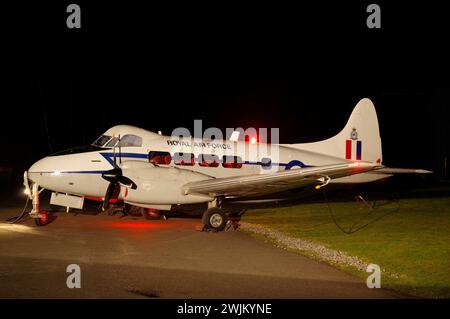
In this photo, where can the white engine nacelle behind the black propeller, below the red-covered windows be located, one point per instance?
(160, 185)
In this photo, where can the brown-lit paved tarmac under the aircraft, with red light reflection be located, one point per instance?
(132, 257)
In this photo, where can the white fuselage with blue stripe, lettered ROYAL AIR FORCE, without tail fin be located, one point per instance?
(79, 173)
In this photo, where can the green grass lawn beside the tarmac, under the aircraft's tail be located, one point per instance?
(408, 239)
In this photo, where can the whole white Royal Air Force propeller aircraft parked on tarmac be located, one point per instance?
(148, 171)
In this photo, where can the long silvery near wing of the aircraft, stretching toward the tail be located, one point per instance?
(260, 184)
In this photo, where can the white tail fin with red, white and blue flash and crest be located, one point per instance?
(359, 140)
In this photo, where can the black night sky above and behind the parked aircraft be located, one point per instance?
(300, 68)
